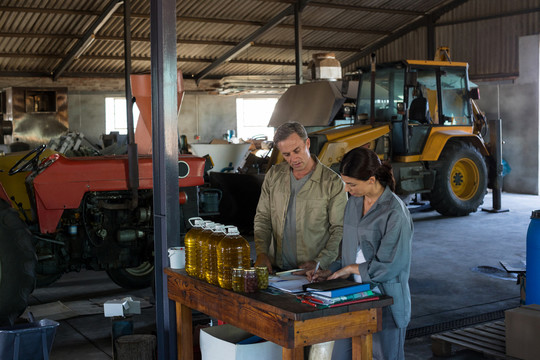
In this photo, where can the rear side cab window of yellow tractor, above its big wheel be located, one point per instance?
(455, 97)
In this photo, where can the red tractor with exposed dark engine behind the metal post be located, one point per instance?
(60, 214)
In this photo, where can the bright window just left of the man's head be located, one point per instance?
(252, 117)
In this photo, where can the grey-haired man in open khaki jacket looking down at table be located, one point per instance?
(301, 207)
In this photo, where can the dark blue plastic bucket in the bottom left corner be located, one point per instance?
(31, 341)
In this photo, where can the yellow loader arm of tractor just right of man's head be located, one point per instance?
(337, 146)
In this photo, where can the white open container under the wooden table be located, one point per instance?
(221, 343)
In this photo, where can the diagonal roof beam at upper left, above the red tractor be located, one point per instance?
(86, 40)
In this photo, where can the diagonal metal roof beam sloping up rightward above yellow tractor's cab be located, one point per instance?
(435, 14)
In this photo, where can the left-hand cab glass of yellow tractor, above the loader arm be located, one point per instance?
(389, 84)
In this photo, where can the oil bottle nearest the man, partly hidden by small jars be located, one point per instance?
(232, 252)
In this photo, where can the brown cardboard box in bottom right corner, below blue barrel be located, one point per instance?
(522, 329)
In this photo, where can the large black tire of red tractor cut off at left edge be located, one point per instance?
(17, 265)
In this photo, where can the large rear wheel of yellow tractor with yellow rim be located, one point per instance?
(461, 180)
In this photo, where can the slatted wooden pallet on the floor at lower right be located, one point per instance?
(488, 339)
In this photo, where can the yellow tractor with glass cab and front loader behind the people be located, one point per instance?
(420, 115)
